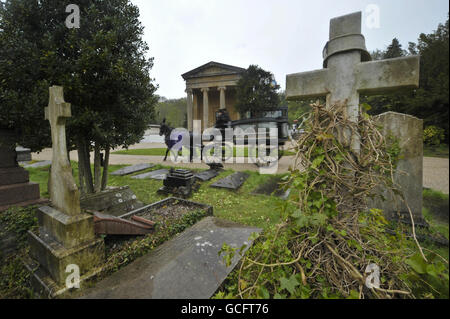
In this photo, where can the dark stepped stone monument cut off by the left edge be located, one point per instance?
(15, 188)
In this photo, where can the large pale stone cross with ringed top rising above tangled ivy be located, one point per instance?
(347, 72)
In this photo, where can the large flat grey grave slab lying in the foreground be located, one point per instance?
(185, 267)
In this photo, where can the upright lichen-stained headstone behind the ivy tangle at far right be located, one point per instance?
(407, 131)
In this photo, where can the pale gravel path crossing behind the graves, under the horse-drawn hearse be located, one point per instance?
(435, 170)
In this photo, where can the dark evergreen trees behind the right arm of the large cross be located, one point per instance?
(430, 101)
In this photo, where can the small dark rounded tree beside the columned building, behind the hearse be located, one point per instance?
(256, 90)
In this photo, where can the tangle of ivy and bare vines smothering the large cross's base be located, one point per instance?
(328, 235)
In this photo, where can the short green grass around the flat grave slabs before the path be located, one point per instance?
(238, 206)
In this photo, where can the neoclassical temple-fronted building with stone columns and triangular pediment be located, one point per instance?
(211, 87)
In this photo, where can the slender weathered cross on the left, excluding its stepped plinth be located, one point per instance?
(63, 190)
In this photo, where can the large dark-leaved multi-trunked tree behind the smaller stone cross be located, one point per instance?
(102, 66)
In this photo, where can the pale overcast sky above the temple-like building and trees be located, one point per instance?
(282, 36)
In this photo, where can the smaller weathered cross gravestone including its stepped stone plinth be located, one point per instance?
(66, 236)
